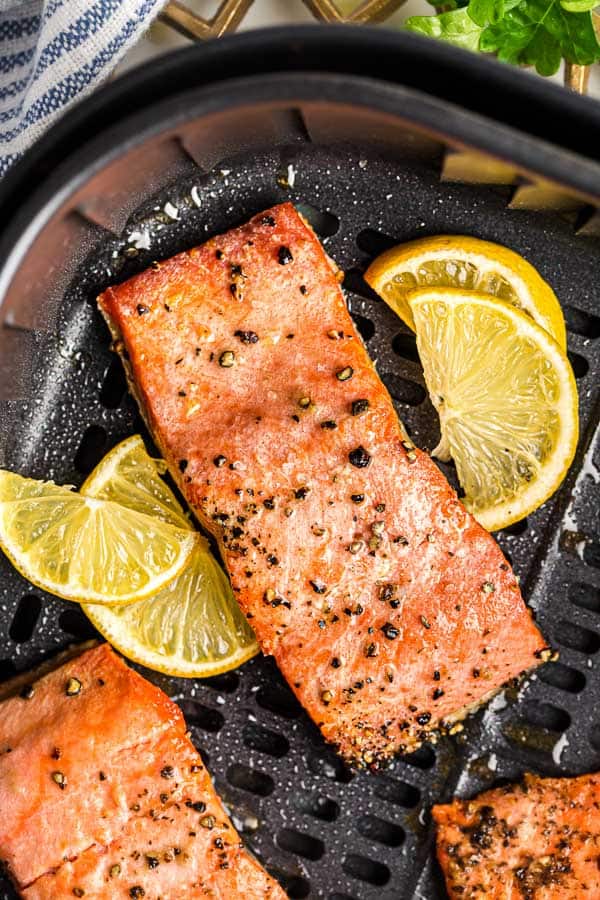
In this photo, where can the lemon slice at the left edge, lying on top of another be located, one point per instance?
(83, 548)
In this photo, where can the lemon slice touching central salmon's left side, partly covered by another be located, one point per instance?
(194, 626)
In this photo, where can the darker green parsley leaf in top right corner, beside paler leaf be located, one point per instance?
(538, 33)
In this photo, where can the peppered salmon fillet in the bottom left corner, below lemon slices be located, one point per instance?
(100, 788)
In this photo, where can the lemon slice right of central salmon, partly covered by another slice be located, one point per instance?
(470, 264)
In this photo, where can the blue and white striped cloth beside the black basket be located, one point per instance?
(54, 52)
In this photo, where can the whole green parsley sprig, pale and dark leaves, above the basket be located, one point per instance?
(524, 32)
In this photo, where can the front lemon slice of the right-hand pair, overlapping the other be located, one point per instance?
(506, 397)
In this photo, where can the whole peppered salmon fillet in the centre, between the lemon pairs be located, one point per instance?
(388, 609)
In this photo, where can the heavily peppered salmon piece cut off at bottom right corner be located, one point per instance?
(539, 840)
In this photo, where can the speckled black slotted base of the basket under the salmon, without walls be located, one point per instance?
(321, 829)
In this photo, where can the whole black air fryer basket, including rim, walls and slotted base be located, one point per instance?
(371, 161)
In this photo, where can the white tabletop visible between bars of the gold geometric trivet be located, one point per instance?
(279, 12)
